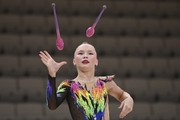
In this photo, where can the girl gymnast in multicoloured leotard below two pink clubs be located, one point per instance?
(87, 94)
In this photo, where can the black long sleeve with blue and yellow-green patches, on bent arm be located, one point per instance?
(55, 97)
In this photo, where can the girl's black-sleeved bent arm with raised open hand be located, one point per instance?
(53, 100)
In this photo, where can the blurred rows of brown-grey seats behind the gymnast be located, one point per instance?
(137, 40)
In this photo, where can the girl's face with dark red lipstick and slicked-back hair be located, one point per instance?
(85, 57)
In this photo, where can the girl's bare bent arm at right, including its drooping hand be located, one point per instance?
(122, 96)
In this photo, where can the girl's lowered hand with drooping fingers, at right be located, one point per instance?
(127, 106)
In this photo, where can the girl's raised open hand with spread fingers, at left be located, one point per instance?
(52, 65)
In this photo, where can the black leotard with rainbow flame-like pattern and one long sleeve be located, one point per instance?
(83, 104)
